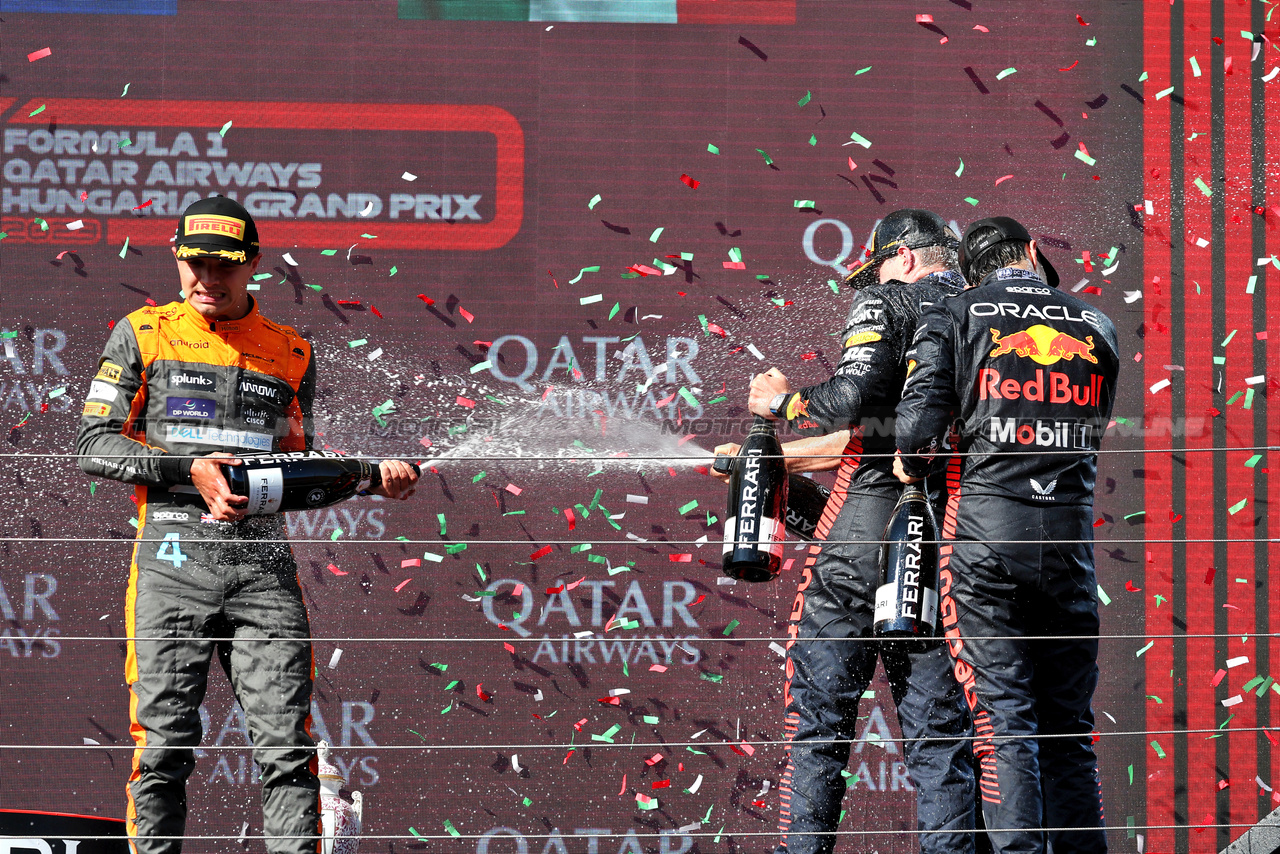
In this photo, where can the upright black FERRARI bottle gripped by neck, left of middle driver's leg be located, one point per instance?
(755, 531)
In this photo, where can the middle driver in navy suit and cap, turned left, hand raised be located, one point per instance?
(831, 652)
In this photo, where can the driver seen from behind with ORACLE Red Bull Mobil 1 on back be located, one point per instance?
(1031, 373)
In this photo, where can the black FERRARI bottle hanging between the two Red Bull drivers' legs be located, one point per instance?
(907, 601)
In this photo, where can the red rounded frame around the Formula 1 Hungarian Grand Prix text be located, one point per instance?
(509, 177)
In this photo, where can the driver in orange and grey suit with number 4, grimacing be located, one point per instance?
(181, 389)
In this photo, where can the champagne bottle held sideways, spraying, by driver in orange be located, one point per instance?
(277, 483)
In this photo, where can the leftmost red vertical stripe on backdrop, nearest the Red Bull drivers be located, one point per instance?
(1156, 353)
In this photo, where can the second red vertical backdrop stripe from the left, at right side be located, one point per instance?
(1199, 354)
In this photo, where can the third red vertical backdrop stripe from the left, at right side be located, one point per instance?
(1241, 619)
